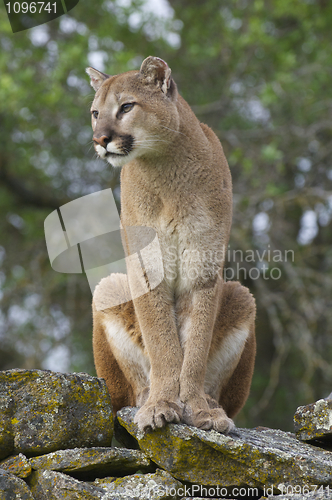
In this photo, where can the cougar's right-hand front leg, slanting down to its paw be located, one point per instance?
(197, 412)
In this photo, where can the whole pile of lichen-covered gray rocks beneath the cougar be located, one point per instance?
(66, 419)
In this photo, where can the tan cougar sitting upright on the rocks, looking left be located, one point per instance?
(185, 350)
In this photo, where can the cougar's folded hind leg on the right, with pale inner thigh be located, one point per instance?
(233, 348)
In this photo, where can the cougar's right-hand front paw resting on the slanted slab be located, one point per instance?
(207, 419)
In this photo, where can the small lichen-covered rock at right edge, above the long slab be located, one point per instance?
(314, 421)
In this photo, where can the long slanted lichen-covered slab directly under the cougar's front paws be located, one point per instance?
(253, 457)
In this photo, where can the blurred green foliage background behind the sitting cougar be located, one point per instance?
(259, 74)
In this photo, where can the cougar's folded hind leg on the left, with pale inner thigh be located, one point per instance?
(119, 354)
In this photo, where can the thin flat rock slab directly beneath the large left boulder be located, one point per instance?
(90, 463)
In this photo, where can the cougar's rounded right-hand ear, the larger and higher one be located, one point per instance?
(155, 71)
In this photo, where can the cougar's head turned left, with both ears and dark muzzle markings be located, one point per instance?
(134, 113)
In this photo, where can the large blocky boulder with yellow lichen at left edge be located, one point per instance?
(43, 411)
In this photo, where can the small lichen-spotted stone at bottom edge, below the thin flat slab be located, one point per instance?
(160, 485)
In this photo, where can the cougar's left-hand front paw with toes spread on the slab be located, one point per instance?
(153, 415)
